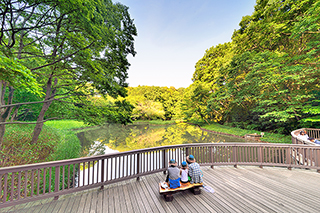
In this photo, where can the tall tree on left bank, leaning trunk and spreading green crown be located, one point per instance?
(78, 43)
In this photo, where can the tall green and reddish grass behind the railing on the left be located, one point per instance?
(57, 141)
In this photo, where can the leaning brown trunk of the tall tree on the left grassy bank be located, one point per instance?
(49, 95)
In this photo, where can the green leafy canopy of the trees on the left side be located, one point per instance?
(72, 50)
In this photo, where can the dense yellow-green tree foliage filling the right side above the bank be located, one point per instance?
(267, 77)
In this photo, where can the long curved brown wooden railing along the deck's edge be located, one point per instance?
(26, 183)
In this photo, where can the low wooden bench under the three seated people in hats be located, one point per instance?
(168, 193)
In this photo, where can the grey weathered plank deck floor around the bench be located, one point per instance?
(242, 189)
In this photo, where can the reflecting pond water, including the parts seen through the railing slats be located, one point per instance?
(113, 138)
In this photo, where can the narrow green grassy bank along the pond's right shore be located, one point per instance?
(268, 137)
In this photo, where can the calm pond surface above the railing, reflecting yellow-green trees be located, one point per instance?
(119, 138)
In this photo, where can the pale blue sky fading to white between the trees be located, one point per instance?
(174, 34)
